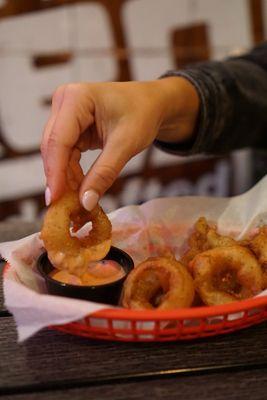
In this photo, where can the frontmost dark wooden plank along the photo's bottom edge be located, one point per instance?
(241, 385)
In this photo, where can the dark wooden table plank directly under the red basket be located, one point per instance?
(57, 359)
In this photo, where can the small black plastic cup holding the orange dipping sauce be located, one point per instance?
(108, 293)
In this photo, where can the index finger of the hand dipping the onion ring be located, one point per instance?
(71, 114)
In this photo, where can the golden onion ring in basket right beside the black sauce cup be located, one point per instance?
(158, 283)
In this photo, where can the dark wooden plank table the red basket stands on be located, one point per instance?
(53, 365)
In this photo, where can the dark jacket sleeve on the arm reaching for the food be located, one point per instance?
(233, 110)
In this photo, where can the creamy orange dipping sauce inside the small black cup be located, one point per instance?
(98, 273)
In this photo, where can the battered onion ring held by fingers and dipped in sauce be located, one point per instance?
(71, 253)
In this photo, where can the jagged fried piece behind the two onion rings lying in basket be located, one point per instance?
(204, 237)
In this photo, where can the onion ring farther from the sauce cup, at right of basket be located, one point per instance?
(226, 274)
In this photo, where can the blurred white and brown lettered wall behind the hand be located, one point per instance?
(44, 43)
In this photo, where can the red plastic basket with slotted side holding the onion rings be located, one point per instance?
(155, 325)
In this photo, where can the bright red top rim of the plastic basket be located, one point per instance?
(182, 313)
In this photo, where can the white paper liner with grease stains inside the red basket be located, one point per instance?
(142, 231)
